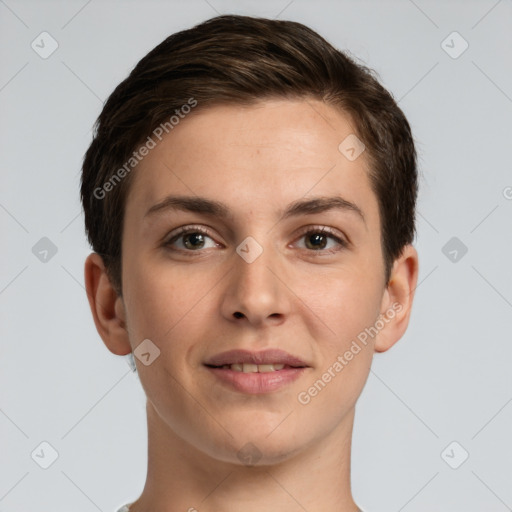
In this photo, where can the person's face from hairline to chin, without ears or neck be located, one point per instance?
(288, 286)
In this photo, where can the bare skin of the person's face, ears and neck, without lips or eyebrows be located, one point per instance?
(255, 159)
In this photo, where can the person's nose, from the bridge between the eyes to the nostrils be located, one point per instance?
(255, 290)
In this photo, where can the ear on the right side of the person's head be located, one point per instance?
(397, 300)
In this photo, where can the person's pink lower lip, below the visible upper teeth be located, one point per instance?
(257, 383)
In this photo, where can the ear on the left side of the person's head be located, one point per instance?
(107, 307)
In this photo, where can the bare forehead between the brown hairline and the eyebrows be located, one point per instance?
(256, 157)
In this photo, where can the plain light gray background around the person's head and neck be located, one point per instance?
(449, 377)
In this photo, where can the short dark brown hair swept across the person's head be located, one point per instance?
(240, 60)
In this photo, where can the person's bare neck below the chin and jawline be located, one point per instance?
(181, 477)
